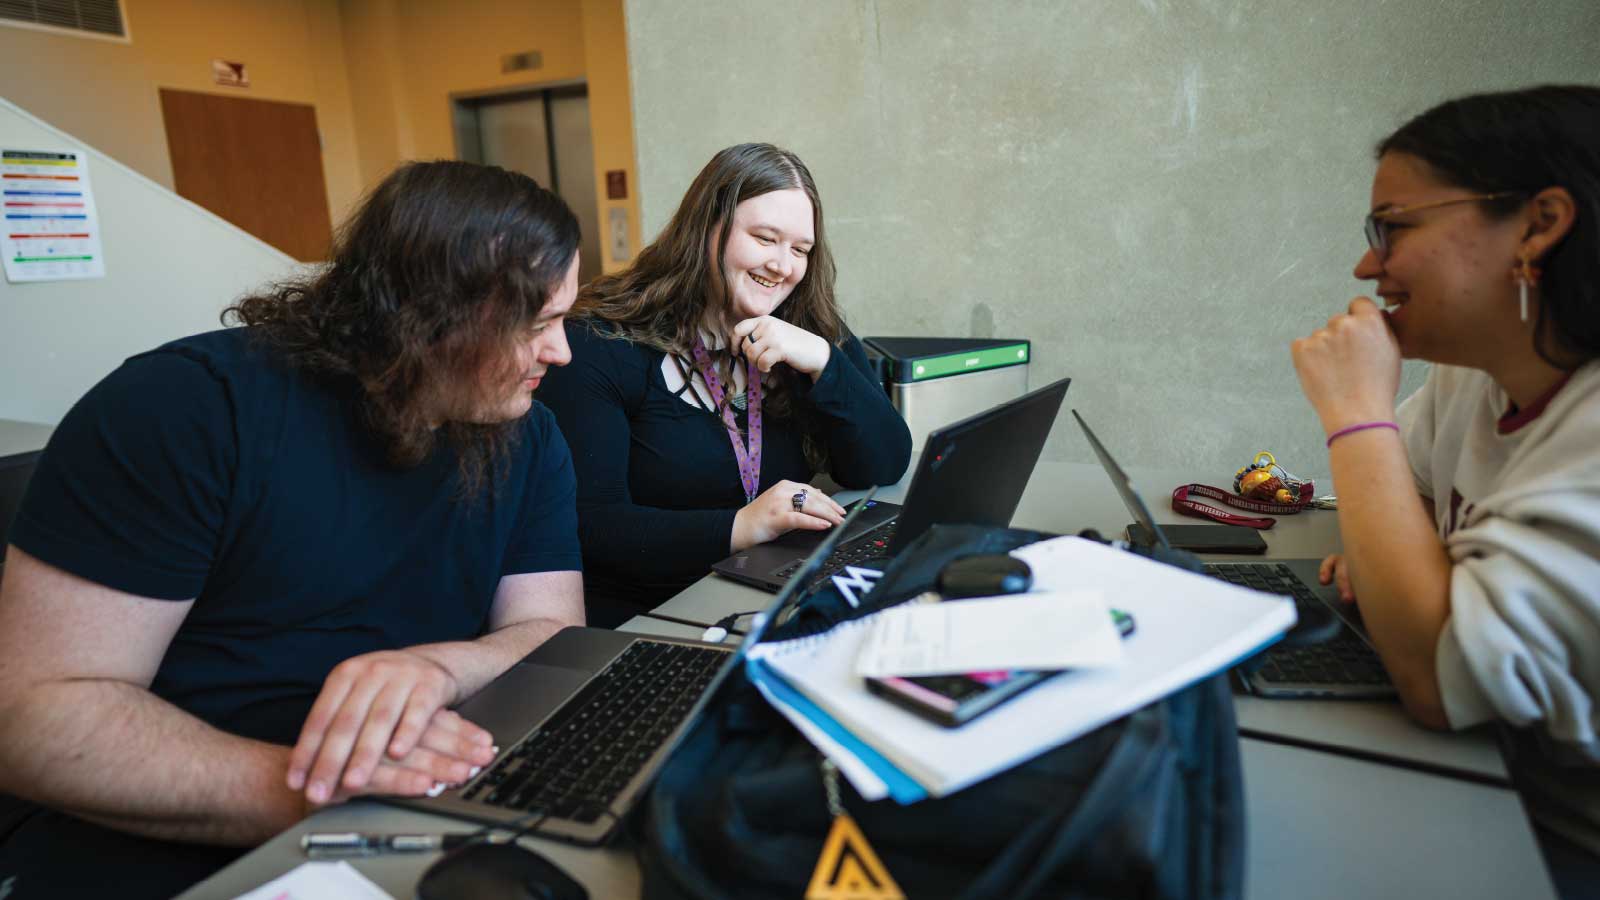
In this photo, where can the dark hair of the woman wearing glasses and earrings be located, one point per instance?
(1522, 143)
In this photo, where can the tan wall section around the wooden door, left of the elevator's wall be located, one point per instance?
(108, 92)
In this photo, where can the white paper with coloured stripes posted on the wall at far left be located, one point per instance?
(52, 231)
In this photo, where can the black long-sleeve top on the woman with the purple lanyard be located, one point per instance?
(658, 484)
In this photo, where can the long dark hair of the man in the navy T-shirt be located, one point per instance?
(430, 286)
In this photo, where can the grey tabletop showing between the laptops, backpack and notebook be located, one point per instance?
(1337, 806)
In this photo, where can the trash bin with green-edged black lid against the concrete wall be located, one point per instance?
(935, 382)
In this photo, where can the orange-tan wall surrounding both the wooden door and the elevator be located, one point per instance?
(380, 74)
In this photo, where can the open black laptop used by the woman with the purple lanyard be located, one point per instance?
(970, 472)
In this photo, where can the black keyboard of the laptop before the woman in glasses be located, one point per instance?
(1343, 661)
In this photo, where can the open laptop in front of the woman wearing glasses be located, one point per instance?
(1345, 665)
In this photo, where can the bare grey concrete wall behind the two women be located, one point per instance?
(1161, 195)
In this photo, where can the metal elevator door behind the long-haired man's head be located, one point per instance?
(543, 135)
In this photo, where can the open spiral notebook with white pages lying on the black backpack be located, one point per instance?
(1191, 627)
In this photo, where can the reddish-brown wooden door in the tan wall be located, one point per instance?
(257, 164)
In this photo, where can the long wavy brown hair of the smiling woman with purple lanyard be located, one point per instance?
(665, 297)
